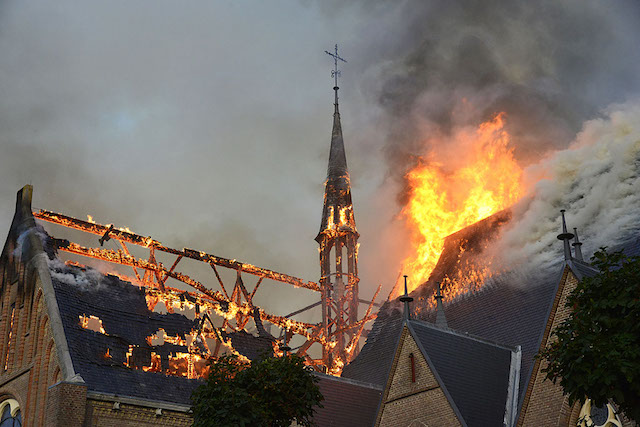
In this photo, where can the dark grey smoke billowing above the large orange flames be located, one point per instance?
(548, 65)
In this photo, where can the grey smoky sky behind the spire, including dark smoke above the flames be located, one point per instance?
(207, 124)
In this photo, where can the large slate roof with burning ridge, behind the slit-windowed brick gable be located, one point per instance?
(511, 308)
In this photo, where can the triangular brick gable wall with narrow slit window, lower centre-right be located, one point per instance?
(422, 402)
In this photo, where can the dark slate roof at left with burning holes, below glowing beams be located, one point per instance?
(123, 310)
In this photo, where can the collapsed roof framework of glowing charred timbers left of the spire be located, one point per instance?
(234, 305)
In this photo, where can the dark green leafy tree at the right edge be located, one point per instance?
(597, 351)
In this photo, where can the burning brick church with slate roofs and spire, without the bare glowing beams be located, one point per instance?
(75, 349)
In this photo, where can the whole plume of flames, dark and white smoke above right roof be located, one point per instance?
(492, 105)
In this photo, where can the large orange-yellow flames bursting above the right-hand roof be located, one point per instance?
(484, 179)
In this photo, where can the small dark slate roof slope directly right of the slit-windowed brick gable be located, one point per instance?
(474, 372)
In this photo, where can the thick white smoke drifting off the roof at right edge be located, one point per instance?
(597, 181)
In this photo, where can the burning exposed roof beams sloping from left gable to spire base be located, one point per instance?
(227, 306)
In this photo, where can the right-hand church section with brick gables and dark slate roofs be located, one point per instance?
(472, 363)
